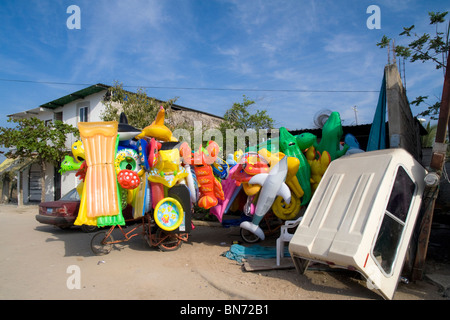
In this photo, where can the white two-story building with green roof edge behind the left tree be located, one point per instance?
(80, 106)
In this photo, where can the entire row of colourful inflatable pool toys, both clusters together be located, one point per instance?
(119, 165)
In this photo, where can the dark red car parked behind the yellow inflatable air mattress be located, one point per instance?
(63, 212)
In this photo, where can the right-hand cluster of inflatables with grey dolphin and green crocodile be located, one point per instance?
(281, 174)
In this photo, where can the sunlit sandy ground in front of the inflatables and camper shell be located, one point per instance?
(37, 262)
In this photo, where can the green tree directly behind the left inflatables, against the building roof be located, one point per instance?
(140, 109)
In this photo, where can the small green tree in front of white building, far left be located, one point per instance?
(33, 138)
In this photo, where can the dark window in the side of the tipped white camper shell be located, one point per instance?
(394, 220)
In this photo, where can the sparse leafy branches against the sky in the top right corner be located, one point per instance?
(424, 47)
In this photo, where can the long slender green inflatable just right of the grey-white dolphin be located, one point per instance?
(289, 146)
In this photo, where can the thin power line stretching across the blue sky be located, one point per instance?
(197, 88)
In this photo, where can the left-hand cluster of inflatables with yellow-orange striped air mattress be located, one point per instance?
(119, 165)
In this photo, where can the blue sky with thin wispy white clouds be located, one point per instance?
(274, 48)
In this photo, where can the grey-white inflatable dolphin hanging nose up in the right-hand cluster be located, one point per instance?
(272, 186)
